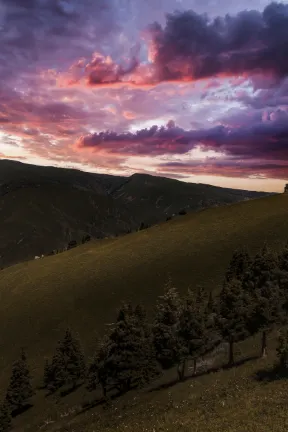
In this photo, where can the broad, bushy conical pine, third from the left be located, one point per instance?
(125, 358)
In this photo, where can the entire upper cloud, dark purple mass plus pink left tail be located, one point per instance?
(191, 47)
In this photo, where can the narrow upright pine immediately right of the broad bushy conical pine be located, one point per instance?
(165, 329)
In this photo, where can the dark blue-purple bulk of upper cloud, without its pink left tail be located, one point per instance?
(191, 46)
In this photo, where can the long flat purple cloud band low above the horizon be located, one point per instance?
(265, 140)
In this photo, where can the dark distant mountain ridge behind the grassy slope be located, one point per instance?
(44, 208)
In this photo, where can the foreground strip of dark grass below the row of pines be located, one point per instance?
(248, 397)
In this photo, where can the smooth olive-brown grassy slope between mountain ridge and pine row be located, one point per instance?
(84, 286)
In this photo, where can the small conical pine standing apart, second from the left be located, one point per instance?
(68, 364)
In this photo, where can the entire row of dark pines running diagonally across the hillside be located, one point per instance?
(137, 348)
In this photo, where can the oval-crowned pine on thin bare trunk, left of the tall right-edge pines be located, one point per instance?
(234, 310)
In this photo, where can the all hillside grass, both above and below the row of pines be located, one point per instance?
(82, 288)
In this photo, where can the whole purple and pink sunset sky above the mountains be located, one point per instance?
(195, 90)
